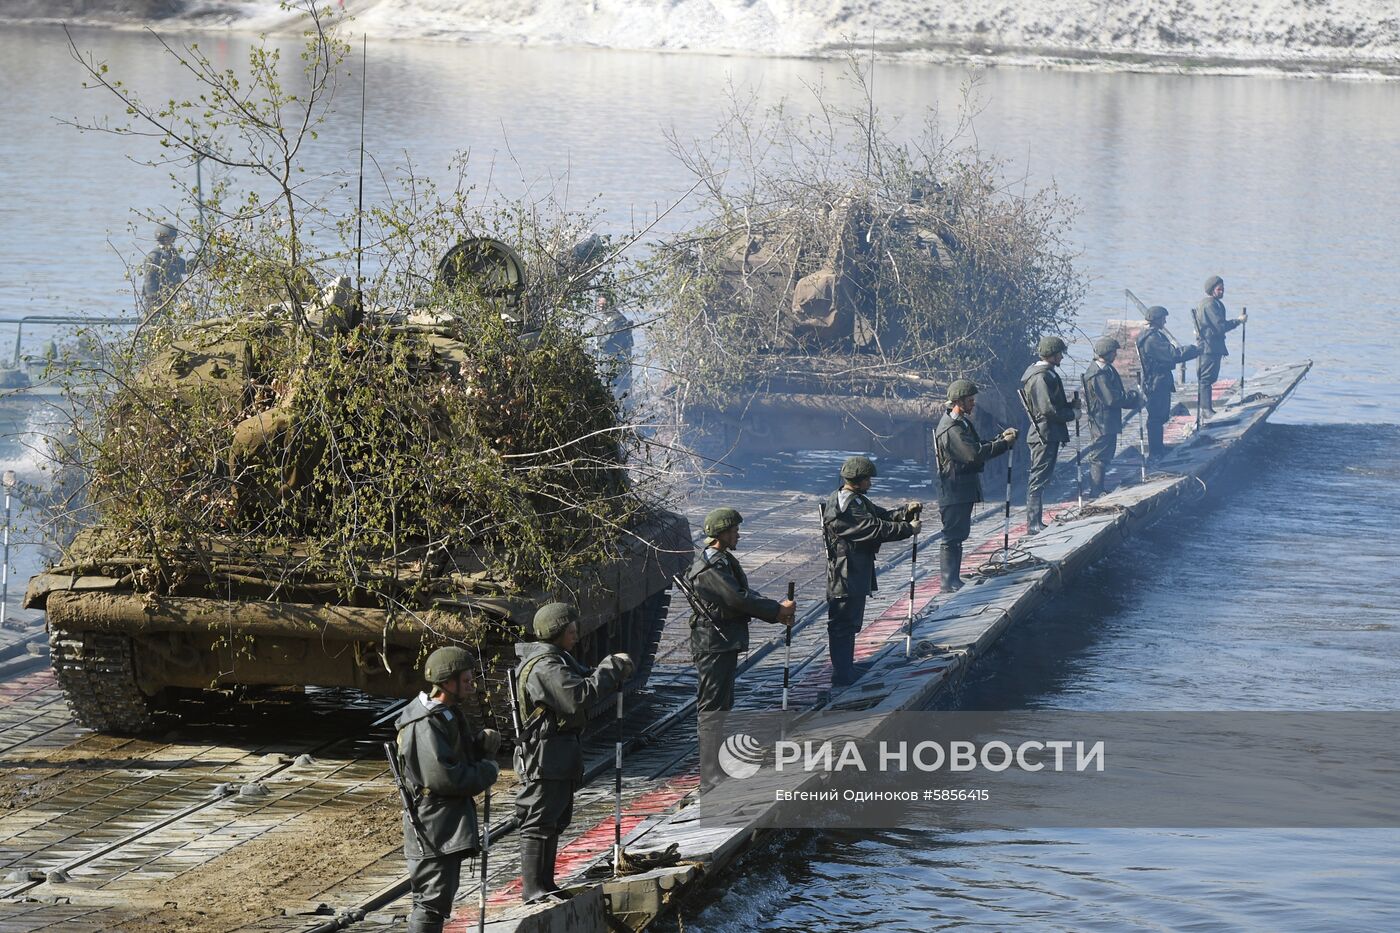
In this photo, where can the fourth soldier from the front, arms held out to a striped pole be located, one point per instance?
(855, 529)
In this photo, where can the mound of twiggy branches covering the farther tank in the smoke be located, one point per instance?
(832, 258)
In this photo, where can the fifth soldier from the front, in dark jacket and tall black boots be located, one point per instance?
(961, 456)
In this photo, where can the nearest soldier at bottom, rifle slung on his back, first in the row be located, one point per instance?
(444, 764)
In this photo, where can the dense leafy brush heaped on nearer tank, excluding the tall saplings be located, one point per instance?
(297, 442)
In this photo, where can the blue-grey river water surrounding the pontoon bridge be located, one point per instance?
(1276, 592)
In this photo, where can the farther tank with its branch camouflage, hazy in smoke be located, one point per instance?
(835, 329)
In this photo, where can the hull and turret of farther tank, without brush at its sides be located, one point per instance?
(821, 334)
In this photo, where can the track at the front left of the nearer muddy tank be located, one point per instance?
(99, 679)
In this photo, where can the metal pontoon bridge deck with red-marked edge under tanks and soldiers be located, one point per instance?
(107, 834)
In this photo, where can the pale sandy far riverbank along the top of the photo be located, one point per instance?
(1346, 47)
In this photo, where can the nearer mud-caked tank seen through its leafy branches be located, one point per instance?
(139, 628)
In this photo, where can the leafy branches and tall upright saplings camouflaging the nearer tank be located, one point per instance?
(271, 434)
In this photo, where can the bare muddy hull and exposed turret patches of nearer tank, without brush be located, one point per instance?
(128, 652)
